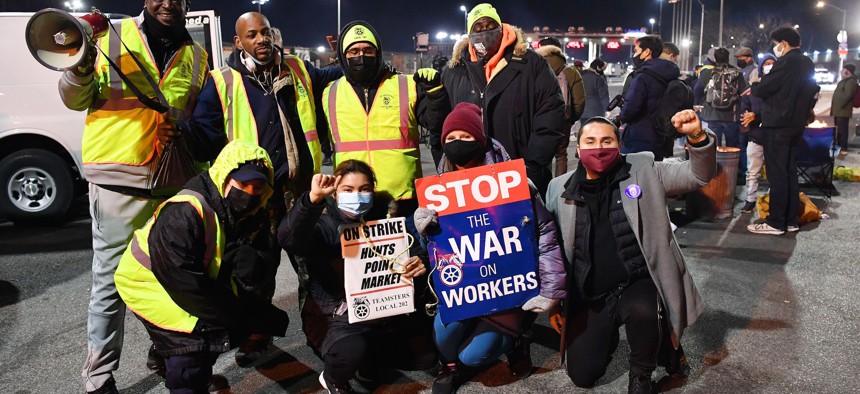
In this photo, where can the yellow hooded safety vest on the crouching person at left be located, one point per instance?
(138, 286)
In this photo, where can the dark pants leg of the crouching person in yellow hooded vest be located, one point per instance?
(189, 373)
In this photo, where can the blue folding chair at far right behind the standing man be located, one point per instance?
(815, 158)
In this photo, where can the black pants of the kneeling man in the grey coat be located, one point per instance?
(593, 332)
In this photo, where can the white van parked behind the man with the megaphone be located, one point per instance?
(40, 139)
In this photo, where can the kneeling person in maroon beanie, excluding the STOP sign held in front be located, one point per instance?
(482, 340)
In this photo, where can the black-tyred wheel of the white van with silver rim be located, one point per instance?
(36, 186)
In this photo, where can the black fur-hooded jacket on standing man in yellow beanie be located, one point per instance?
(522, 104)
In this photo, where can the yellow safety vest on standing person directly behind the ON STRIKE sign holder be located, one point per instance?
(386, 137)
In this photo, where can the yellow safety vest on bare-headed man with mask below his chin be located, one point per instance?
(239, 121)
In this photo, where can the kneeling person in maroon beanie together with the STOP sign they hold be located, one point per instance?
(476, 341)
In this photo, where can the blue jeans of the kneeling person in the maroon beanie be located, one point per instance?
(483, 342)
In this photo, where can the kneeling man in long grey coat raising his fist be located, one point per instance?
(626, 266)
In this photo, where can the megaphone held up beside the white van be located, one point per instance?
(58, 40)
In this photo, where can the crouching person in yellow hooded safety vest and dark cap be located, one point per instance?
(192, 275)
